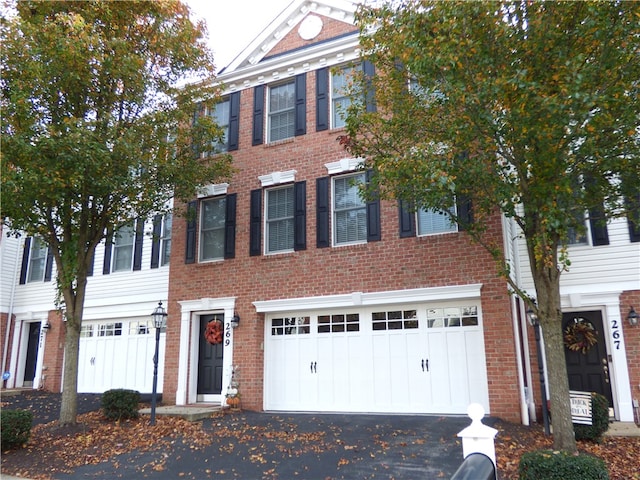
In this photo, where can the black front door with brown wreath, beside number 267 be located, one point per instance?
(587, 364)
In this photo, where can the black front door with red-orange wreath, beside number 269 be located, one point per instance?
(210, 359)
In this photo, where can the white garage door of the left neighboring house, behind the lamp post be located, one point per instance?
(118, 354)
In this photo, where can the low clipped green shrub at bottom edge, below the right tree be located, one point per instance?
(557, 465)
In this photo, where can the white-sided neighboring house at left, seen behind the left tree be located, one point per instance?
(129, 278)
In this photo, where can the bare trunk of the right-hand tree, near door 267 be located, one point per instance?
(547, 282)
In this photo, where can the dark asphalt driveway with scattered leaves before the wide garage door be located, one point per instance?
(256, 445)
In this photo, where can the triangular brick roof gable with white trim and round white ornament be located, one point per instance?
(302, 23)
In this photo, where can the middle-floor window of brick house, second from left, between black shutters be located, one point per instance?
(280, 219)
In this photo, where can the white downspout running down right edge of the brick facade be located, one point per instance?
(511, 246)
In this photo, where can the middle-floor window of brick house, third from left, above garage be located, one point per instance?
(349, 210)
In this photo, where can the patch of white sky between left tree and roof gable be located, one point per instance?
(233, 24)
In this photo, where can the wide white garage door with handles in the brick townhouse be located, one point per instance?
(405, 359)
